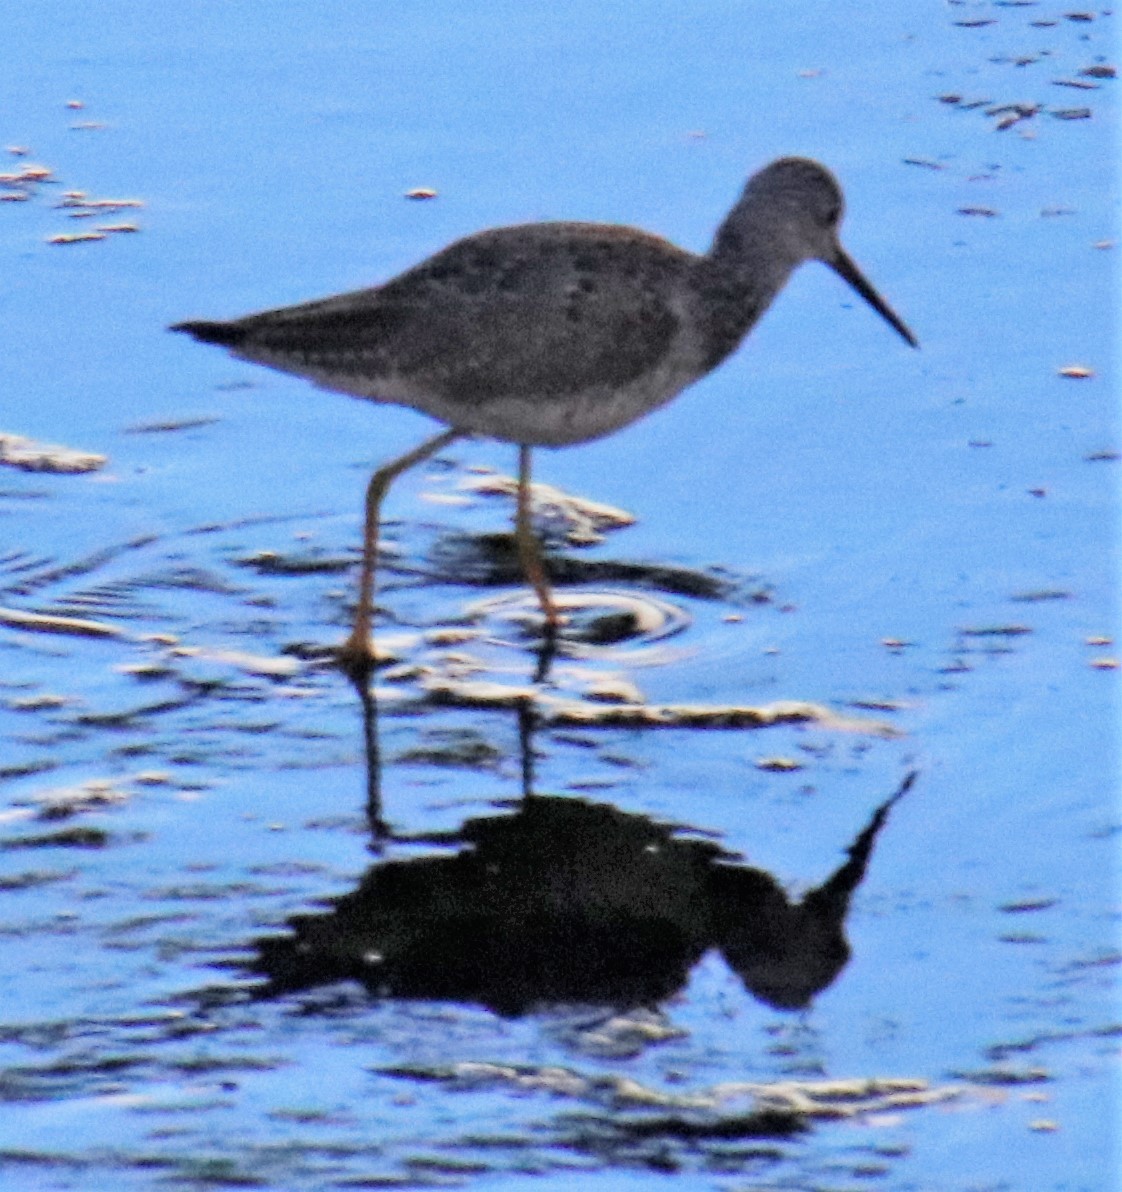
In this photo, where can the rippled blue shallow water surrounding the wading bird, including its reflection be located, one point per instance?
(915, 555)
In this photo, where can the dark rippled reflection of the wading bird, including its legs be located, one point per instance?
(565, 902)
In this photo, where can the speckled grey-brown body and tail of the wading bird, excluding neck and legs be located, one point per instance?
(545, 333)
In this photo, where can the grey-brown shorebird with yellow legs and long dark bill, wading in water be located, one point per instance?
(550, 334)
